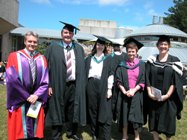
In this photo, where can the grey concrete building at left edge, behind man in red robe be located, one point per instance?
(8, 21)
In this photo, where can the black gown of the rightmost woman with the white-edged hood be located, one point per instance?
(162, 115)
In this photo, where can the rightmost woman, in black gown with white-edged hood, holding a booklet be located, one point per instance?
(163, 72)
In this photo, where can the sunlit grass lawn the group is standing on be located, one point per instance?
(181, 133)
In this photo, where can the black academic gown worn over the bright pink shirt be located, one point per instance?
(130, 110)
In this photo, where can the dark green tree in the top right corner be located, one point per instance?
(177, 16)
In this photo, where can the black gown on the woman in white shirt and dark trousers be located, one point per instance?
(105, 106)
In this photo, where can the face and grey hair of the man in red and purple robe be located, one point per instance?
(31, 43)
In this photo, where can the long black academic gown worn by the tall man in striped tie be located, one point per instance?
(55, 114)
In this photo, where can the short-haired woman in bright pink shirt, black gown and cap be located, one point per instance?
(130, 79)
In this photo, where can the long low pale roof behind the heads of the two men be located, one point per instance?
(49, 33)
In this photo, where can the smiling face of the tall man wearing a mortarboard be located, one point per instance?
(67, 36)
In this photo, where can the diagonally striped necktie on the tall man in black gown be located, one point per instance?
(68, 63)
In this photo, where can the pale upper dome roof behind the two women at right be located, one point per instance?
(158, 29)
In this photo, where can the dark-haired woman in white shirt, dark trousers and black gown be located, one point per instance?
(99, 85)
